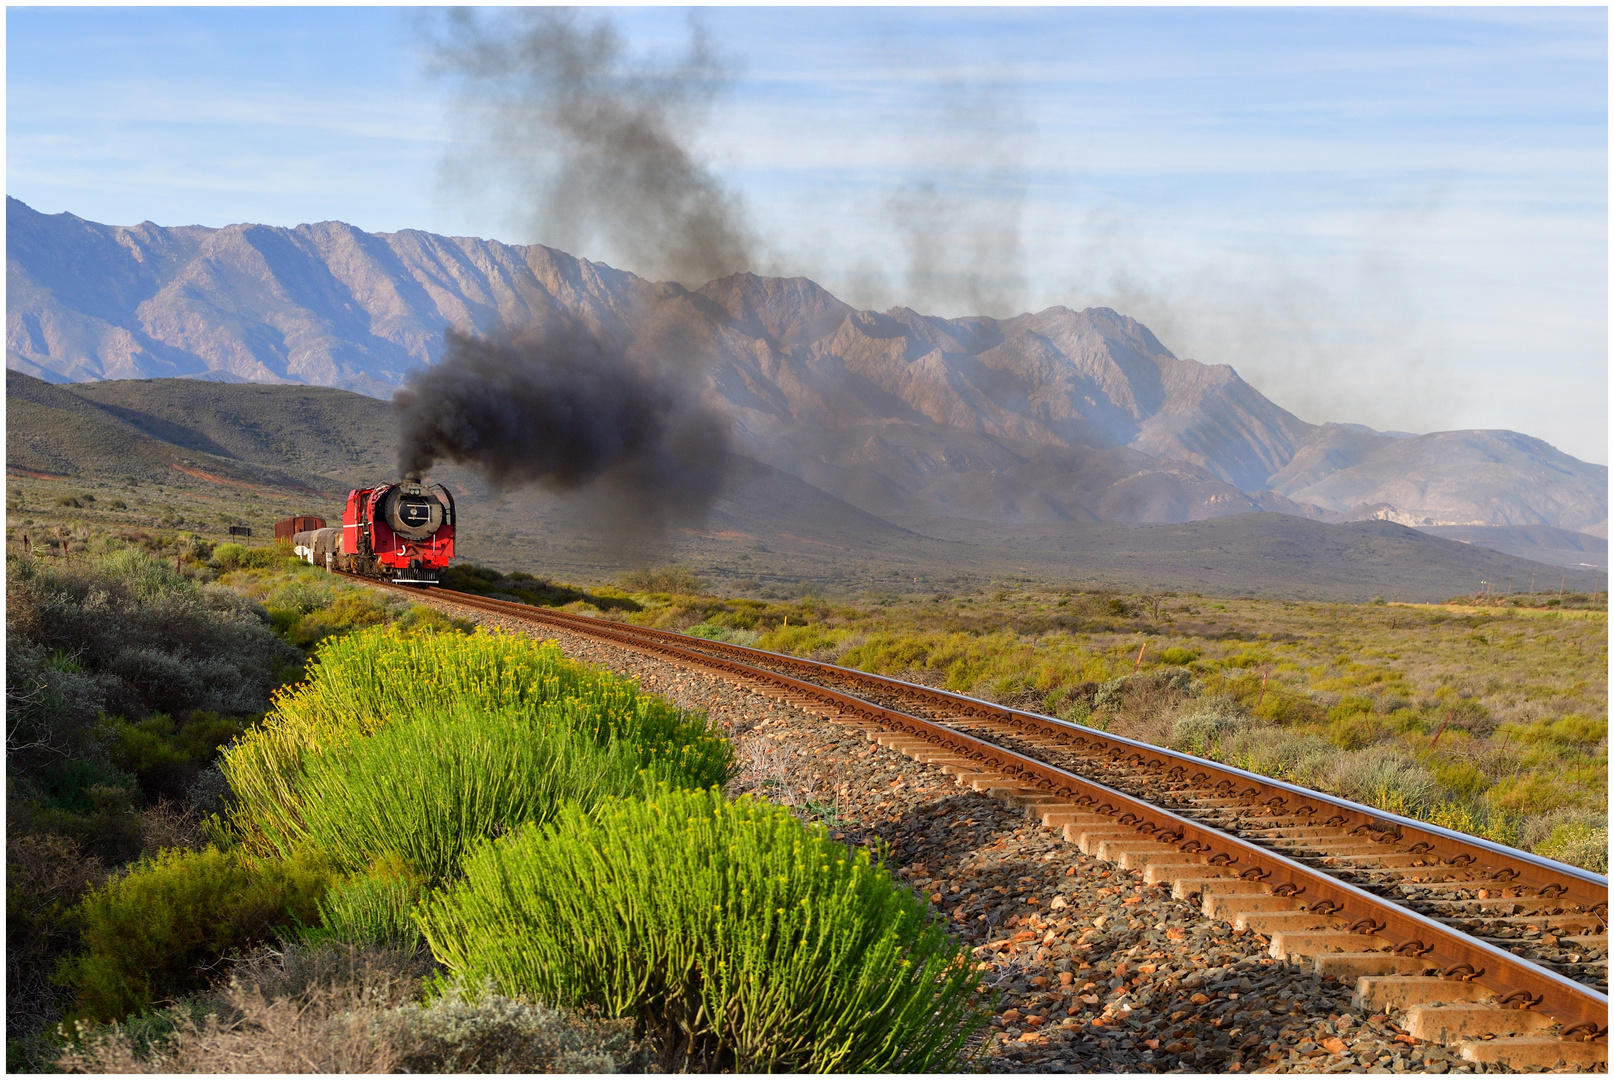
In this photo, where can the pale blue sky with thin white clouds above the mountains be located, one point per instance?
(1389, 217)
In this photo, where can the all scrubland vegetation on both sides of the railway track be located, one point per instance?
(219, 853)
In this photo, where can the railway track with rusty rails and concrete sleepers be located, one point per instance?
(1481, 947)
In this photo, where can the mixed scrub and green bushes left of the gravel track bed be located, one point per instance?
(264, 819)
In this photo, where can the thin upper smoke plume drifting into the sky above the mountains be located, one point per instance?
(596, 144)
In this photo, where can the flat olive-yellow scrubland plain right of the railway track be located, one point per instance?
(1484, 718)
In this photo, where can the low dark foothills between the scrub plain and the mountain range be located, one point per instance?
(303, 448)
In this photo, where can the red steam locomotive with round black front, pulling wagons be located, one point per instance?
(401, 534)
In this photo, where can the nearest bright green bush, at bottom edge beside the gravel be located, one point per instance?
(730, 932)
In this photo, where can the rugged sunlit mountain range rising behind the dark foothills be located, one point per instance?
(1060, 417)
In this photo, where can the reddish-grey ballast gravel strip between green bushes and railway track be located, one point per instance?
(1087, 968)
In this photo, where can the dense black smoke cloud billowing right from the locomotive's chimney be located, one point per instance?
(566, 411)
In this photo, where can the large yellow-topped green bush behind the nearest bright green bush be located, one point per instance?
(419, 743)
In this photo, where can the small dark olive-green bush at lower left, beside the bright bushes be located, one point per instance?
(149, 934)
